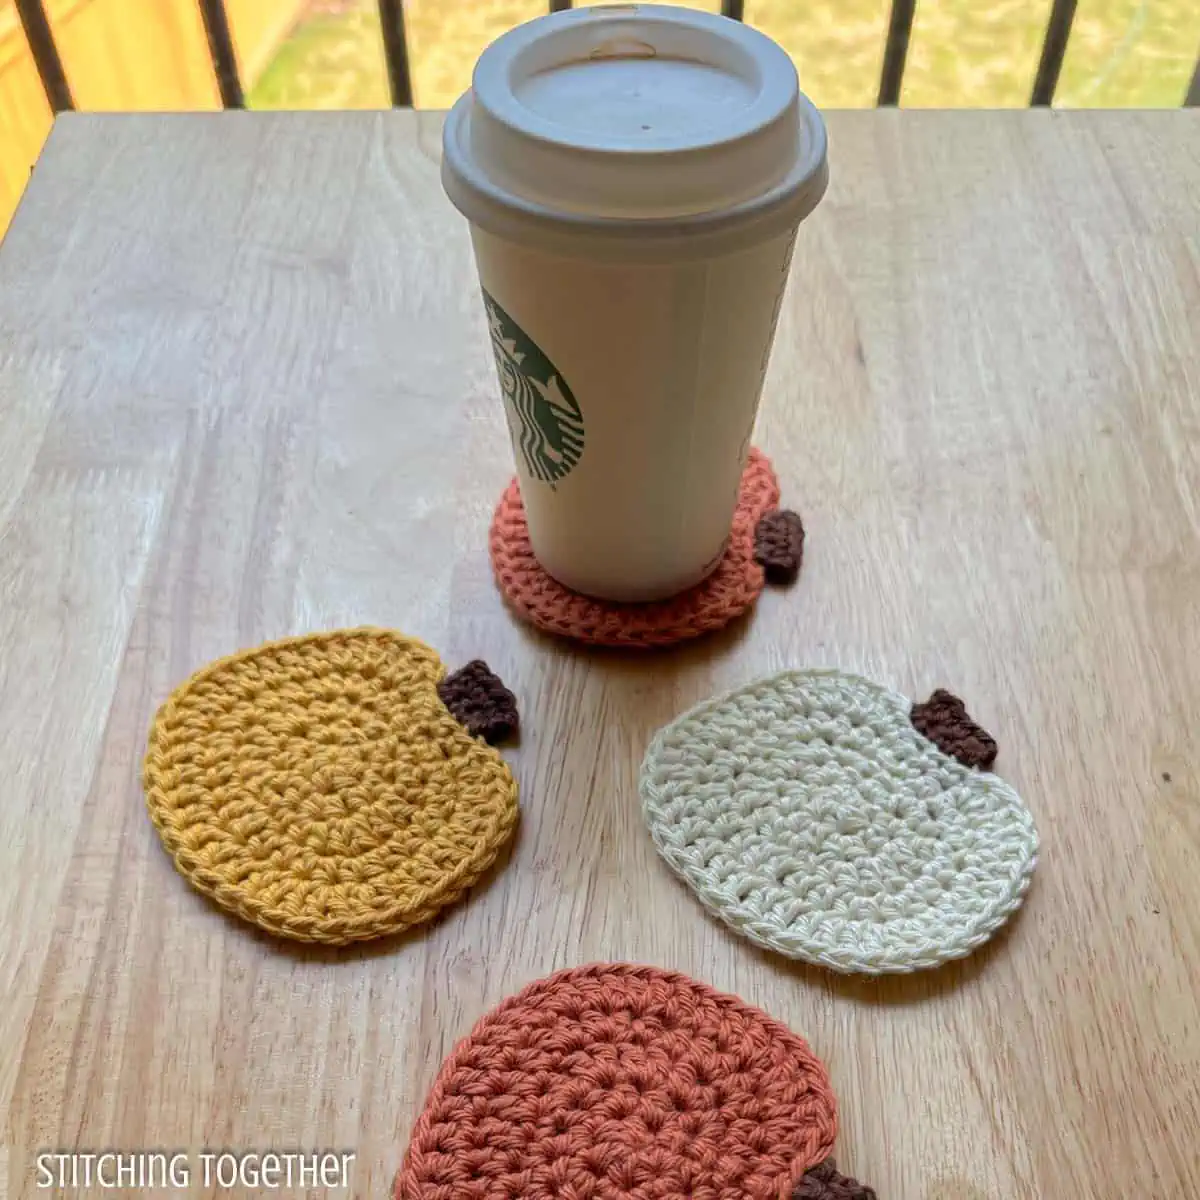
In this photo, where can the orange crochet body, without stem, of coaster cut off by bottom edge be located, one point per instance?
(617, 1081)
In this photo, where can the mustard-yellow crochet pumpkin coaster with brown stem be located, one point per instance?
(325, 789)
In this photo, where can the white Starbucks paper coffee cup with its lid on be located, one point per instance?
(634, 178)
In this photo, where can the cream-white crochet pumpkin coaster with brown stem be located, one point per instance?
(809, 814)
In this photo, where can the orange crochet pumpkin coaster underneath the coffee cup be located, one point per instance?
(765, 543)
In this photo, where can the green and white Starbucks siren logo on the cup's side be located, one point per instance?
(544, 418)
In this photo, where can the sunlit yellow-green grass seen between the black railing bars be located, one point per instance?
(964, 53)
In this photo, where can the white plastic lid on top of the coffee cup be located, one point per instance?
(634, 122)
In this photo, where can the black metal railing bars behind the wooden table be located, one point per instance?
(395, 45)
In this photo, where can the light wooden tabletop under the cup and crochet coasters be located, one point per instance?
(247, 392)
